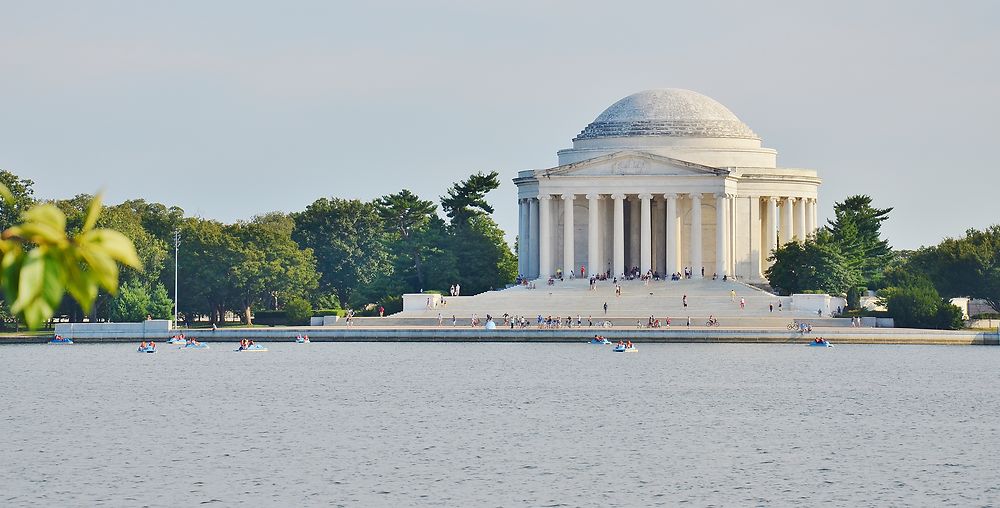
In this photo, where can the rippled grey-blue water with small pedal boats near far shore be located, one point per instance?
(393, 424)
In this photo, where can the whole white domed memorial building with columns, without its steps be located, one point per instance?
(663, 180)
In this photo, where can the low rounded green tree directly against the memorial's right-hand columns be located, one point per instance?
(815, 264)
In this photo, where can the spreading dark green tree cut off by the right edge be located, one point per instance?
(964, 267)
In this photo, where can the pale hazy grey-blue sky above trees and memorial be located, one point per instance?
(233, 108)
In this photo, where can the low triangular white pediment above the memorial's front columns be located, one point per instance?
(633, 163)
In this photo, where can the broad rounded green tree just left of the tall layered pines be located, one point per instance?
(348, 240)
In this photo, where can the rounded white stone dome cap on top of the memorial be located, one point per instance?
(672, 112)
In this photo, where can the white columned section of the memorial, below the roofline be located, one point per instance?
(766, 221)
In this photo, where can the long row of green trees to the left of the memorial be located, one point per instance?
(336, 253)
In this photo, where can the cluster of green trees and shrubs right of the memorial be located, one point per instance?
(849, 256)
